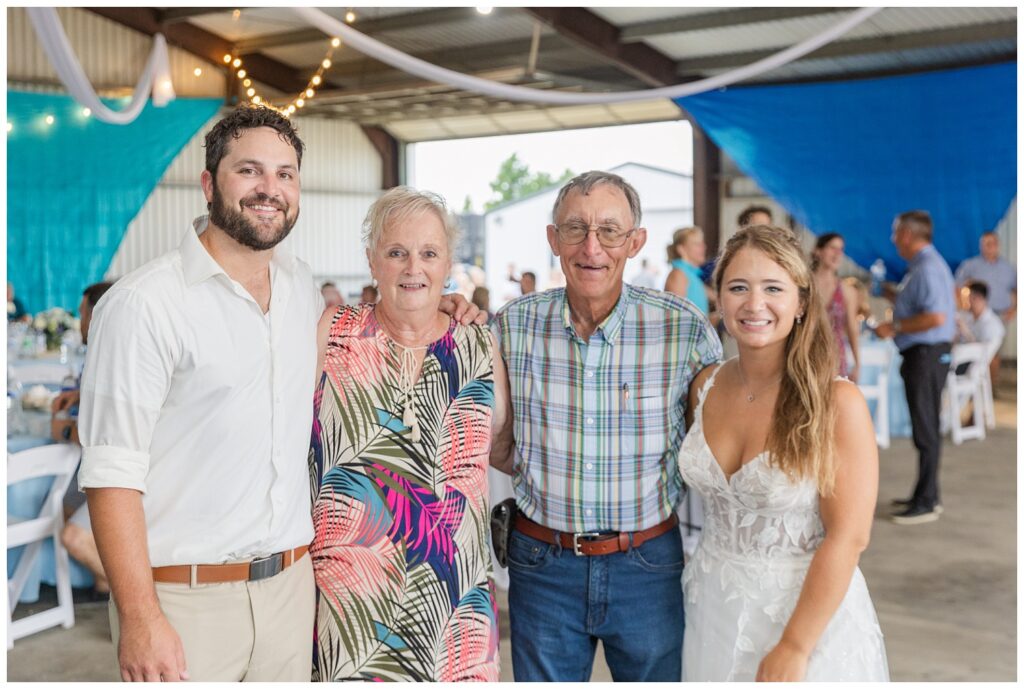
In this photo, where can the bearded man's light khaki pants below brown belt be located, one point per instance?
(244, 631)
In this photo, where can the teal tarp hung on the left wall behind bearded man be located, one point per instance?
(73, 188)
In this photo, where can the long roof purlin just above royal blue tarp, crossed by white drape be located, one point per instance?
(978, 33)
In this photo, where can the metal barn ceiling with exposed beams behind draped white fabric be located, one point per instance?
(570, 49)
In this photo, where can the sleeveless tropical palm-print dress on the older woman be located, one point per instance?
(401, 547)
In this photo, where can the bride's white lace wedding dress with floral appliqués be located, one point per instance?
(742, 585)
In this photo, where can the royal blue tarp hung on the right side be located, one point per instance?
(847, 157)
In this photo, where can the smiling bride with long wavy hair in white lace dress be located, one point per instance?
(783, 455)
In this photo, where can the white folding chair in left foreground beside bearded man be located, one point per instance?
(60, 462)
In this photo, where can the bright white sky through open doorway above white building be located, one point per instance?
(462, 167)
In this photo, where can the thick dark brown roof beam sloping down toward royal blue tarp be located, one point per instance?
(605, 39)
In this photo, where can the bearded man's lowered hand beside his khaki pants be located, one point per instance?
(150, 651)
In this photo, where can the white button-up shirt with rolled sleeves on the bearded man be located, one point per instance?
(198, 400)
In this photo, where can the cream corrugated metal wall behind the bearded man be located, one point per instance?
(342, 171)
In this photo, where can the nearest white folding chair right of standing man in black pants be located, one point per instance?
(969, 385)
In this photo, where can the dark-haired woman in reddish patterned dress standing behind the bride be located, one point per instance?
(840, 302)
